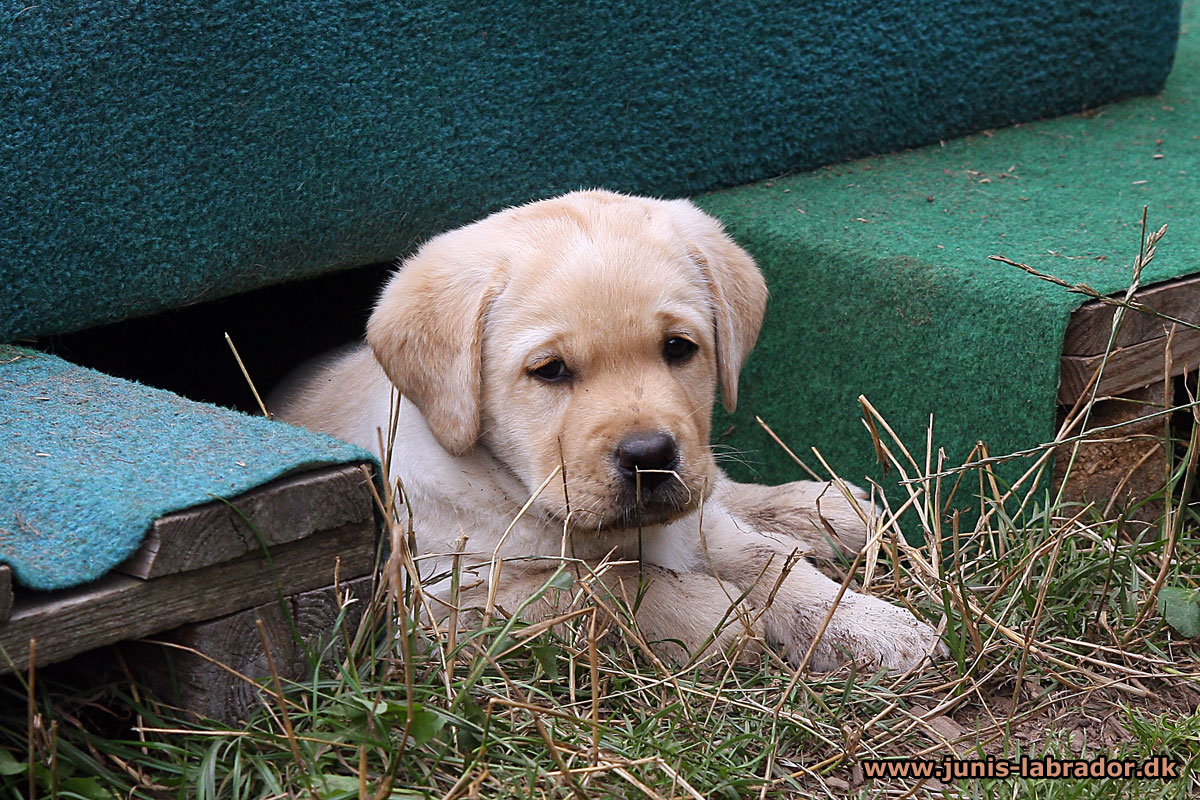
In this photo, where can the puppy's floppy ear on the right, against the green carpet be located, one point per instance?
(737, 290)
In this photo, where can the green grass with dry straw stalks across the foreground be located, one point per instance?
(1071, 627)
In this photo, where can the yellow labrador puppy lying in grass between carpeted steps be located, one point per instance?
(584, 339)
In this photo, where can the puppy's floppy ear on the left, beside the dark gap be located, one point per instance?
(428, 330)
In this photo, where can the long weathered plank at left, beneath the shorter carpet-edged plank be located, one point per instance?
(119, 607)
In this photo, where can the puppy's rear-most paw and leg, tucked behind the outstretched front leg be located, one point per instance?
(814, 516)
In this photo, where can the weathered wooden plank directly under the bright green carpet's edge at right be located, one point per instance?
(1132, 368)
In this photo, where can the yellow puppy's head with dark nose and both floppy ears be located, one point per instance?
(587, 332)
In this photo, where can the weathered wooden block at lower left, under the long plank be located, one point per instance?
(203, 687)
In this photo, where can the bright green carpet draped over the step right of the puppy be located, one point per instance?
(881, 284)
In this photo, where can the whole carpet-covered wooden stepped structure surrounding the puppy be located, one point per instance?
(172, 164)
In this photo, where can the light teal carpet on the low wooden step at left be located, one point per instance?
(88, 462)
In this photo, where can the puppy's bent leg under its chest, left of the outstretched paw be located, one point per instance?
(679, 615)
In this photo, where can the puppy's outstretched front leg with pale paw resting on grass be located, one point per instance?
(861, 628)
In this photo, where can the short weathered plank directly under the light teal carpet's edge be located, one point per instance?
(281, 512)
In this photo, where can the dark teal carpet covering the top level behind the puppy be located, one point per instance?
(155, 155)
